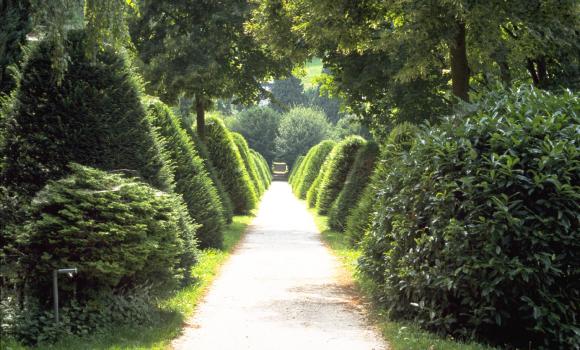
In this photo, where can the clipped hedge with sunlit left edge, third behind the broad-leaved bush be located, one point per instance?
(341, 160)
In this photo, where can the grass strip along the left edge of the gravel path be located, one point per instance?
(174, 311)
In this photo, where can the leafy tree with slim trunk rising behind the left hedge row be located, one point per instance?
(201, 49)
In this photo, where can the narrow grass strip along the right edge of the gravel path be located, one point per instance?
(399, 335)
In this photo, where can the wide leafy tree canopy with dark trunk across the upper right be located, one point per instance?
(467, 41)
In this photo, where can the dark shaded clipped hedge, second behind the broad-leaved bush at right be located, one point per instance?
(357, 179)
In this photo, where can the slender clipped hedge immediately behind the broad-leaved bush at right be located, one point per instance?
(358, 222)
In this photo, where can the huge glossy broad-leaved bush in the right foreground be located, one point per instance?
(477, 229)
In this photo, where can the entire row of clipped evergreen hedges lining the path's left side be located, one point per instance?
(95, 177)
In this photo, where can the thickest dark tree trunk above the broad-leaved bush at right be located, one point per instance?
(459, 64)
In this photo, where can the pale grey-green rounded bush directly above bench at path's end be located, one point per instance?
(300, 129)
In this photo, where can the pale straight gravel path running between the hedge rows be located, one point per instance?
(281, 289)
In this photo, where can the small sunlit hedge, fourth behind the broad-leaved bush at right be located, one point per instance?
(312, 167)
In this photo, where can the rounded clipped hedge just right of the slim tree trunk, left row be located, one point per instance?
(230, 167)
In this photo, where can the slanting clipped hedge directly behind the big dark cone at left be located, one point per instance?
(192, 180)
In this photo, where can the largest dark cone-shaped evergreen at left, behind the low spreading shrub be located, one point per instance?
(92, 116)
